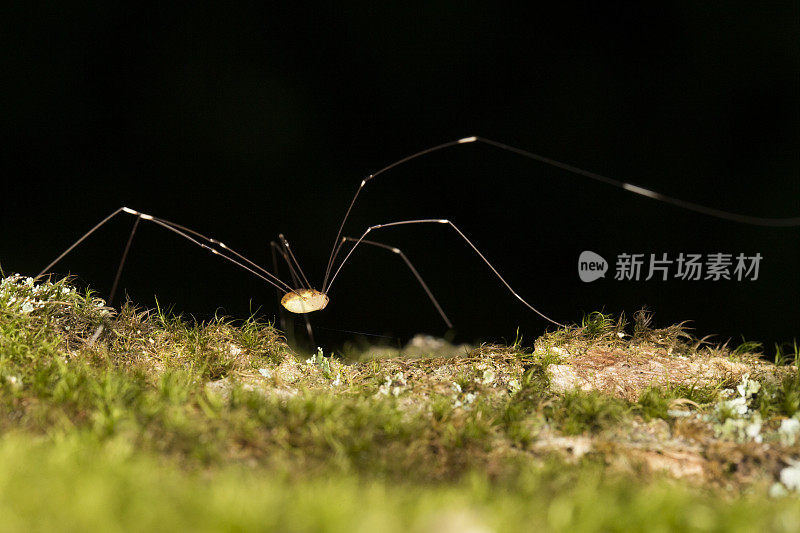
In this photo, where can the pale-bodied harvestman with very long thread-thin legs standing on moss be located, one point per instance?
(302, 298)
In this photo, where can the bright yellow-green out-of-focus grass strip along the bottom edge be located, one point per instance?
(75, 483)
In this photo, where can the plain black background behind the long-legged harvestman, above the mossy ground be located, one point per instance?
(246, 121)
